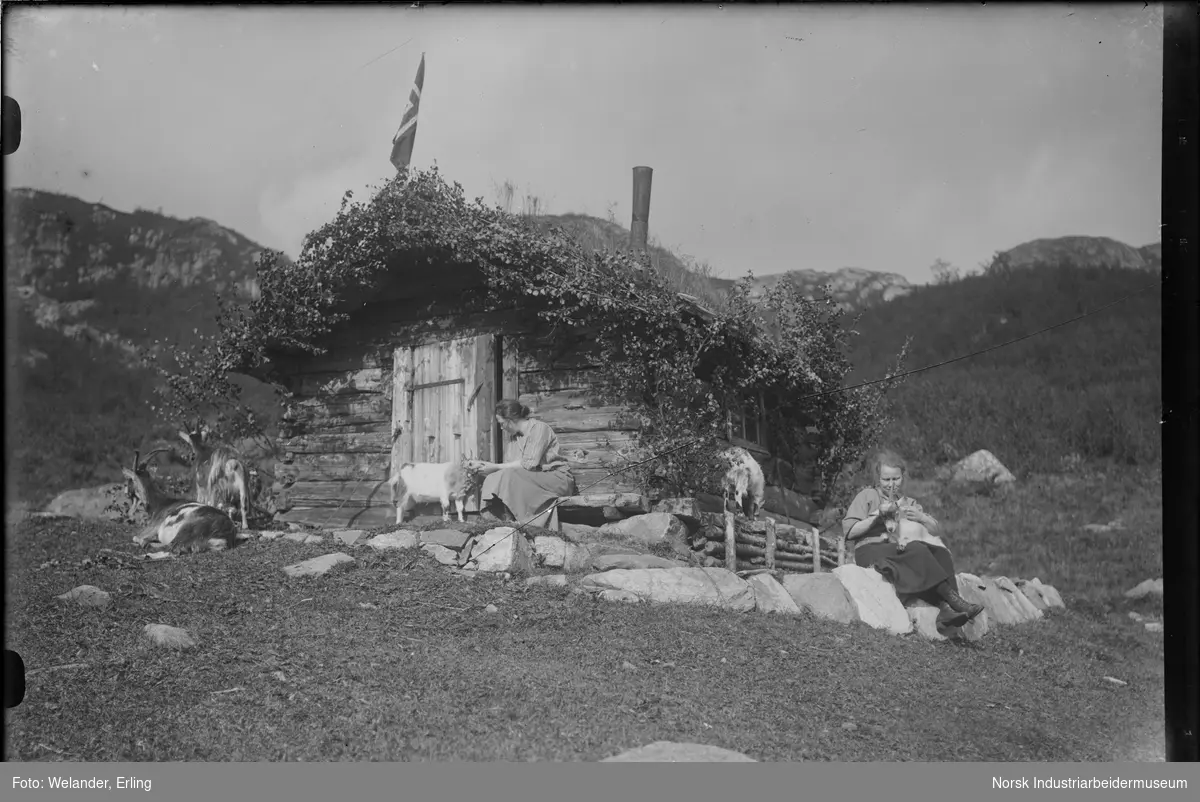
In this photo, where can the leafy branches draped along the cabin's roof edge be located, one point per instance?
(681, 369)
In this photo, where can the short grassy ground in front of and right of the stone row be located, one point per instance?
(394, 659)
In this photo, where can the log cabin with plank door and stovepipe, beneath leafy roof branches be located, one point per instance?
(415, 376)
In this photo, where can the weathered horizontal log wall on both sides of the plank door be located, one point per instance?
(337, 440)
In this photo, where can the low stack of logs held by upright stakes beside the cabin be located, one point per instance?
(740, 544)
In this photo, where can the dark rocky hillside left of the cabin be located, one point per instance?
(87, 288)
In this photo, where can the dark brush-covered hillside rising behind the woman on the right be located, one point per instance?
(1091, 388)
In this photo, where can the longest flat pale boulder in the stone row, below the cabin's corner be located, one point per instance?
(707, 586)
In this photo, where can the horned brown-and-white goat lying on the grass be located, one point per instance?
(177, 524)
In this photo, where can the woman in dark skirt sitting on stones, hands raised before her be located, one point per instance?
(919, 570)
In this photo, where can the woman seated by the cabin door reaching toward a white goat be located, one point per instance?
(524, 488)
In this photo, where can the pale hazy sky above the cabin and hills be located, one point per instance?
(873, 136)
